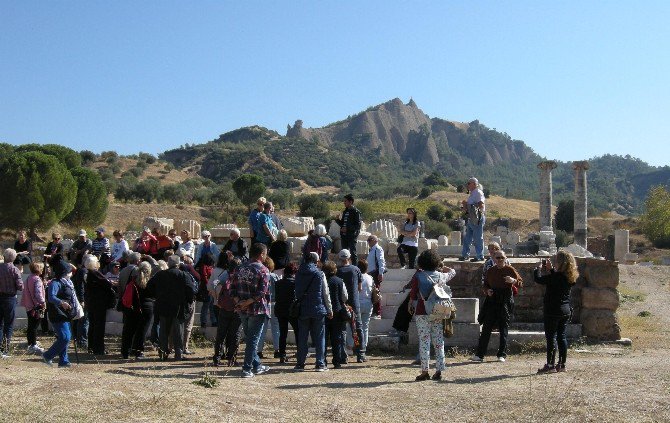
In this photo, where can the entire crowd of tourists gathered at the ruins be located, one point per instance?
(247, 289)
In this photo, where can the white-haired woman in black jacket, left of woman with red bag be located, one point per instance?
(99, 295)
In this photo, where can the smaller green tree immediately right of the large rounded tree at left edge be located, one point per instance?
(90, 208)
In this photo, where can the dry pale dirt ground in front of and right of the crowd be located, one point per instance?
(603, 383)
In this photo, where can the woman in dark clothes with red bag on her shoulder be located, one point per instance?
(138, 311)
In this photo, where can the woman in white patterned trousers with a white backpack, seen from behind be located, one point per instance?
(424, 283)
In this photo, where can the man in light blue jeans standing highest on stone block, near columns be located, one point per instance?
(474, 227)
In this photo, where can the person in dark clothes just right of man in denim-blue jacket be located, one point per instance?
(336, 327)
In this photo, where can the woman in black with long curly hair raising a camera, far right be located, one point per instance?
(557, 310)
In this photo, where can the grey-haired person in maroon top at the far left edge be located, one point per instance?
(10, 283)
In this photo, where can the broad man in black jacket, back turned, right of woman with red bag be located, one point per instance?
(173, 290)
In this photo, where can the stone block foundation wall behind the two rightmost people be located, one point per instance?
(594, 297)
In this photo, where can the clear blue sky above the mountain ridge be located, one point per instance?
(573, 80)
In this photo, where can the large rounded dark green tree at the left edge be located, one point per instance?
(37, 190)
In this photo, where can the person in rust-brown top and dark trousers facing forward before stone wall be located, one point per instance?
(498, 288)
